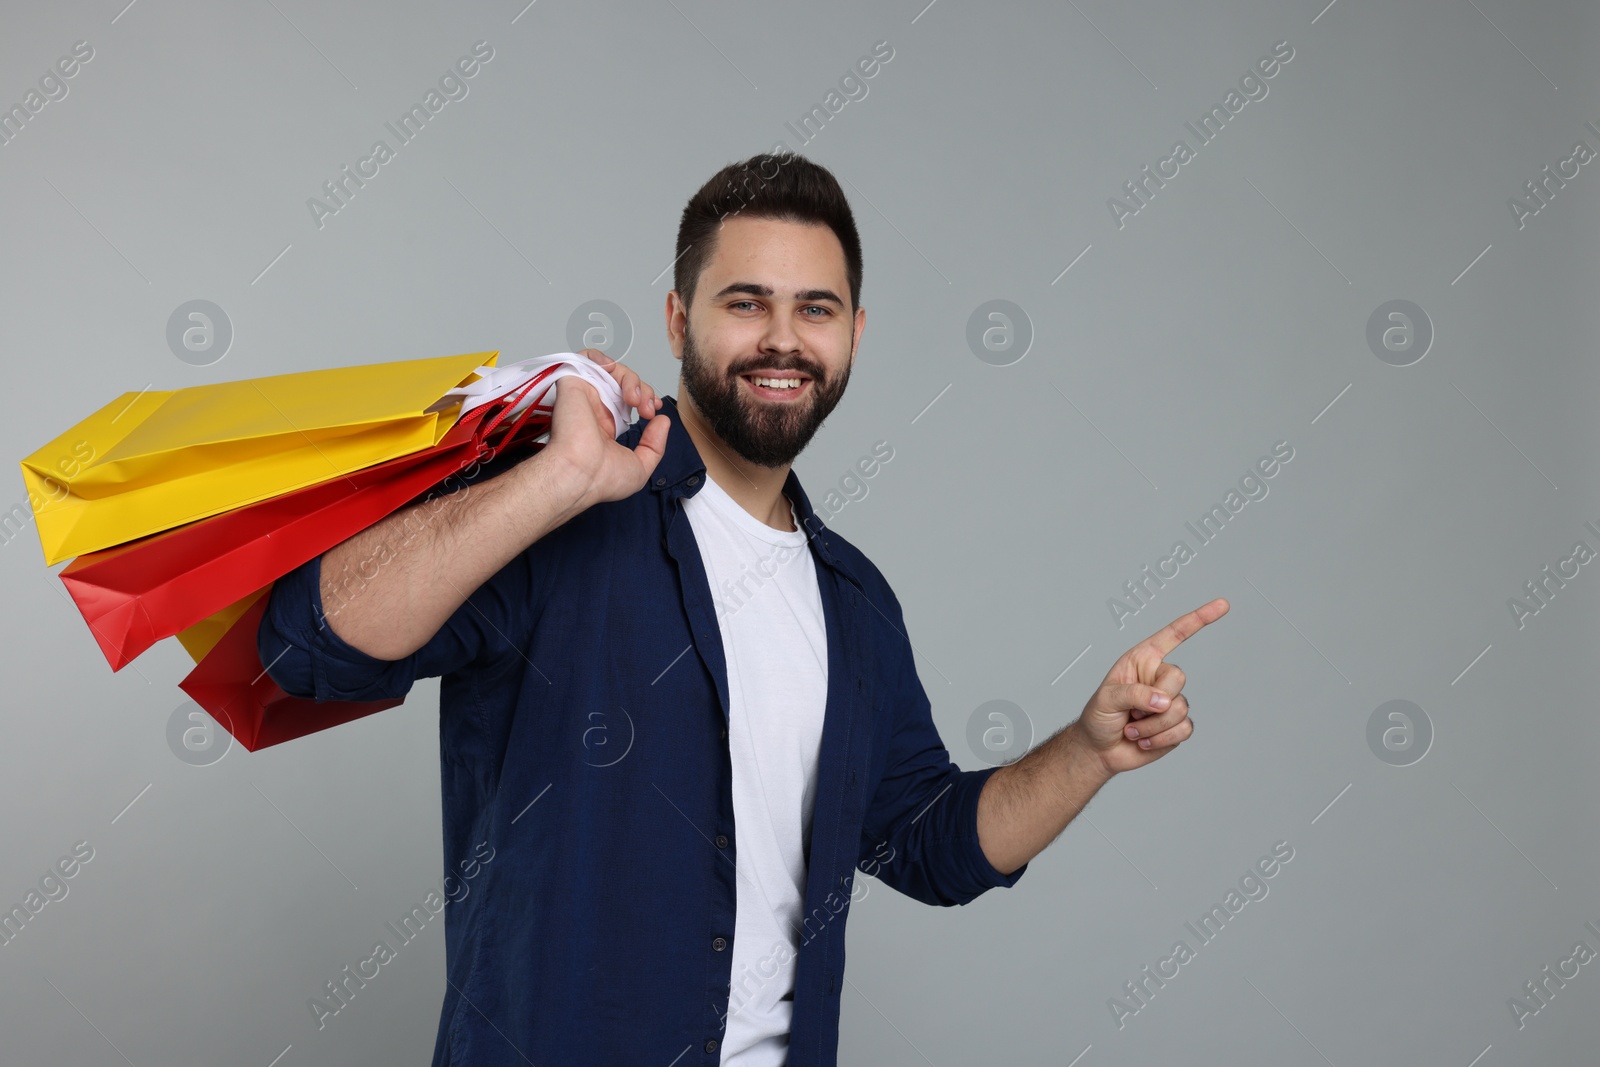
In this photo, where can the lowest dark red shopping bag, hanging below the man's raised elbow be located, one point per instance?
(234, 689)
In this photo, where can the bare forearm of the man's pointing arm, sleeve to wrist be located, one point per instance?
(1028, 804)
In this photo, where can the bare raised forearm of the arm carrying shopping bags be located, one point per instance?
(391, 588)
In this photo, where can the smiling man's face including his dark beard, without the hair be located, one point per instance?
(775, 300)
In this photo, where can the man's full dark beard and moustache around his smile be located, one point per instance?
(767, 434)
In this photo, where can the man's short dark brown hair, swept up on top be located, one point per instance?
(767, 186)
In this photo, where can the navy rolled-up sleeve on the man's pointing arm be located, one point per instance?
(921, 831)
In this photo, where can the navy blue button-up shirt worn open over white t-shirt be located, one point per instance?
(583, 741)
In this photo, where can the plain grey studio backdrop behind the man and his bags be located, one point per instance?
(1226, 316)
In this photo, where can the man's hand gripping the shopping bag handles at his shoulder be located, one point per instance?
(583, 438)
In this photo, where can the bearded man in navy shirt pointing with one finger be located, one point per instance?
(679, 711)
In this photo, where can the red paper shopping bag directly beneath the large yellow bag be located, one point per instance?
(137, 594)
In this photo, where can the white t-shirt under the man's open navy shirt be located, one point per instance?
(774, 637)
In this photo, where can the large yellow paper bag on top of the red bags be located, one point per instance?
(151, 462)
